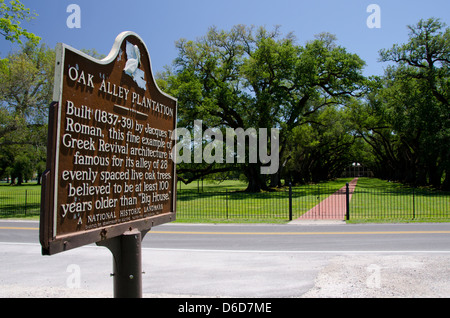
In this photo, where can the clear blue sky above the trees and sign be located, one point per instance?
(161, 23)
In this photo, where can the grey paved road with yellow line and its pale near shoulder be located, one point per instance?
(333, 260)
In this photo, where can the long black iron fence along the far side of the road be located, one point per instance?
(322, 201)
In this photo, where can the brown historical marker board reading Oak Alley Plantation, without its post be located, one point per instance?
(109, 165)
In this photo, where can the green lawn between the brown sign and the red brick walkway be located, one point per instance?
(226, 202)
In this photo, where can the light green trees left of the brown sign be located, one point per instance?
(26, 80)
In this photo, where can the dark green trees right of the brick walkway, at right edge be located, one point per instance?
(405, 117)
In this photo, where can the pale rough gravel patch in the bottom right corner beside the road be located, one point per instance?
(387, 276)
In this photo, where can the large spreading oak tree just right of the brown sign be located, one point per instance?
(255, 78)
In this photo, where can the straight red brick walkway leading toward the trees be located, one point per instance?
(333, 207)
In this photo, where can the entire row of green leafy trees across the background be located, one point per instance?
(328, 113)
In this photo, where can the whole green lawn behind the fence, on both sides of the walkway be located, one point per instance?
(374, 200)
